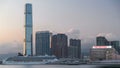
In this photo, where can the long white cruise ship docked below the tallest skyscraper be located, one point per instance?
(30, 60)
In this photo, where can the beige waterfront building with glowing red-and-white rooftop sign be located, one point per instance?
(102, 53)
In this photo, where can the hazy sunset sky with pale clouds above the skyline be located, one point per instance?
(82, 19)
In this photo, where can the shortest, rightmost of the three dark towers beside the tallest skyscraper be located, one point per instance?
(75, 48)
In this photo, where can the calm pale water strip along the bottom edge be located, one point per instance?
(48, 66)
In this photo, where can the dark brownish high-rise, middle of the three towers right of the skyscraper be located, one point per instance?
(59, 45)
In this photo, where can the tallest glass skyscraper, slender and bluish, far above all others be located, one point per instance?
(28, 49)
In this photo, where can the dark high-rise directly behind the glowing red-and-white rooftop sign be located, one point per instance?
(101, 41)
